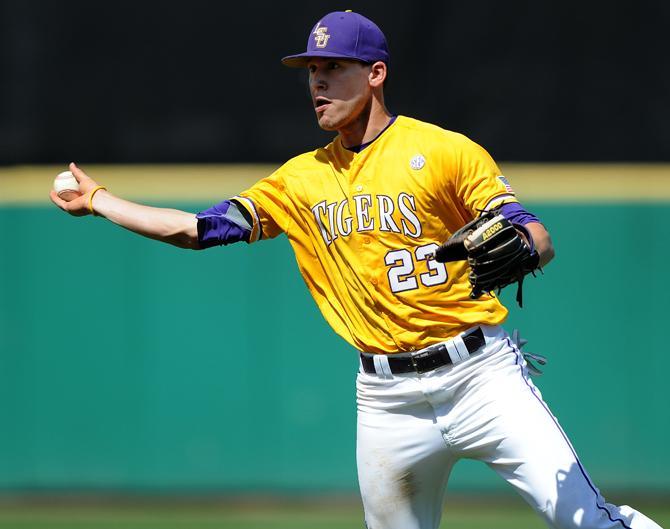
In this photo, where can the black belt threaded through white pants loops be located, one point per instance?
(427, 359)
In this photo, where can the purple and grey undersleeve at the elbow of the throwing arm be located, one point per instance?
(224, 223)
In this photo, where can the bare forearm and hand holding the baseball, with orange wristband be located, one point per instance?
(171, 226)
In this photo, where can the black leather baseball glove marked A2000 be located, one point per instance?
(495, 250)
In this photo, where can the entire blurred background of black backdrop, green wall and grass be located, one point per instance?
(127, 375)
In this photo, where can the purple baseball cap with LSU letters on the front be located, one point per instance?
(343, 35)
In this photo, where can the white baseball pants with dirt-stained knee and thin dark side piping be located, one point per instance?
(413, 428)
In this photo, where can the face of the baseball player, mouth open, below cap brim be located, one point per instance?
(340, 91)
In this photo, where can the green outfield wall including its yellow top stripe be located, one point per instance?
(126, 364)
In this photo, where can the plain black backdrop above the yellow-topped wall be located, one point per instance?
(201, 81)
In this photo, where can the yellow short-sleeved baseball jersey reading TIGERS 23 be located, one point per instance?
(363, 226)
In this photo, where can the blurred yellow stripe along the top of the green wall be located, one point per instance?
(211, 183)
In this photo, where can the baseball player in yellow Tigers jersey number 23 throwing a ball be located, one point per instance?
(366, 215)
